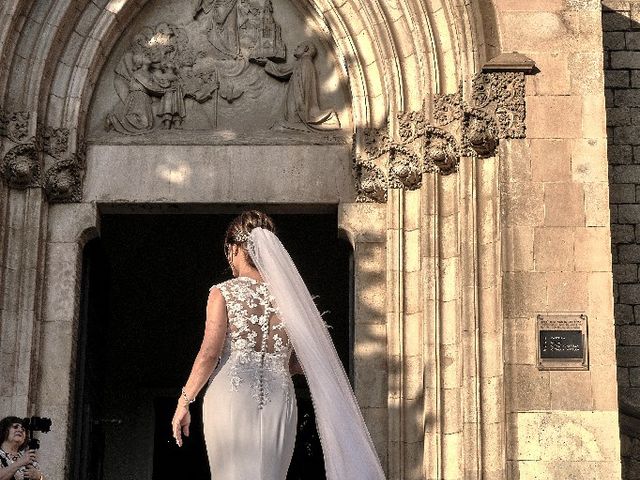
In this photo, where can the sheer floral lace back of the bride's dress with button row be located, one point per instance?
(257, 344)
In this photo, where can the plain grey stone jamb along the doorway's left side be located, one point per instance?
(69, 228)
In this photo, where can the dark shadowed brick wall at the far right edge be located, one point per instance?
(621, 47)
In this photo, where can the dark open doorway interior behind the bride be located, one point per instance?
(158, 270)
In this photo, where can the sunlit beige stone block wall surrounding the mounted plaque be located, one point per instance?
(555, 224)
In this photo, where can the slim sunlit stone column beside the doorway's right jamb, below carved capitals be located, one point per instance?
(404, 323)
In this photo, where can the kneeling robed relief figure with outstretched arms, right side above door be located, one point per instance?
(300, 110)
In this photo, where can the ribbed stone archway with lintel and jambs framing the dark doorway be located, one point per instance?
(412, 238)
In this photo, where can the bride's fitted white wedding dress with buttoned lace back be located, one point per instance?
(249, 409)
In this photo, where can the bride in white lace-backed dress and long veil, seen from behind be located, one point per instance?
(261, 327)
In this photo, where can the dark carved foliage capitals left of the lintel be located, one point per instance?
(24, 148)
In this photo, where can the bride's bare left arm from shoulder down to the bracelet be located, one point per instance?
(214, 333)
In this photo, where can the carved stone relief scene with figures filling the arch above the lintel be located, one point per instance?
(218, 67)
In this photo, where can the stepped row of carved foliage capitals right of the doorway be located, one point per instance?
(459, 128)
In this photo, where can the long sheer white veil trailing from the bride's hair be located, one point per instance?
(348, 450)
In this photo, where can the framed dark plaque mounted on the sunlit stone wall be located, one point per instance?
(562, 342)
